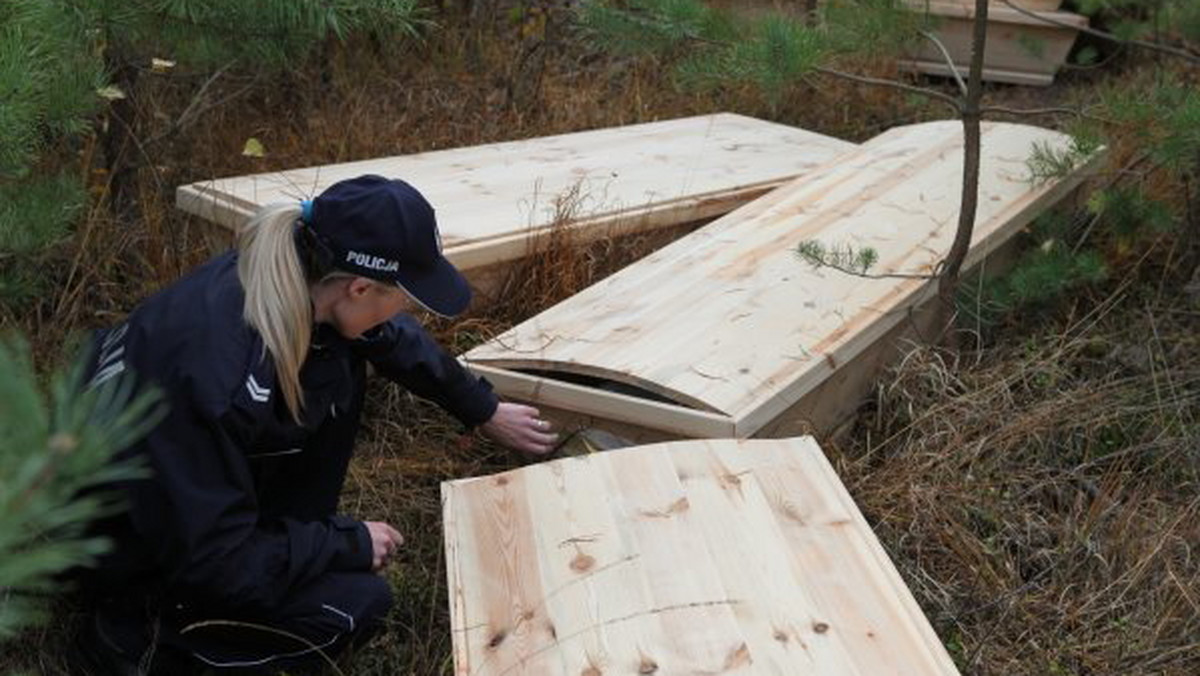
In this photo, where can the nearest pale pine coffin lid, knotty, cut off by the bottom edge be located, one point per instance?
(715, 557)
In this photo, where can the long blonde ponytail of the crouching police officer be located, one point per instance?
(279, 306)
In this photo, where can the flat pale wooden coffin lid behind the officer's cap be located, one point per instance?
(491, 199)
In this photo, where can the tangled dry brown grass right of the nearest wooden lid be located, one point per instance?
(1042, 501)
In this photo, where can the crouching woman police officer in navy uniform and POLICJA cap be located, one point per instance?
(231, 553)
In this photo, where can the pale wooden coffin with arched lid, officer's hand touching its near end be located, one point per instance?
(729, 321)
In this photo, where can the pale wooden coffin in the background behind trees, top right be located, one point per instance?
(1022, 49)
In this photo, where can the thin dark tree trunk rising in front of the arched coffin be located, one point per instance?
(949, 283)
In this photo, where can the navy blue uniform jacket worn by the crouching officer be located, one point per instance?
(195, 527)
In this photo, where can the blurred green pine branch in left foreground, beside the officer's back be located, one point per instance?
(57, 454)
